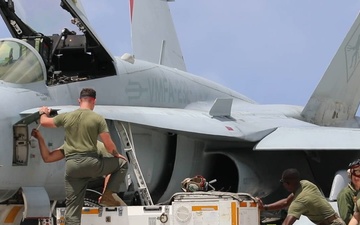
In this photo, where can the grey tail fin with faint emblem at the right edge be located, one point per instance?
(337, 96)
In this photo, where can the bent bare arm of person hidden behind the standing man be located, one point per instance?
(46, 155)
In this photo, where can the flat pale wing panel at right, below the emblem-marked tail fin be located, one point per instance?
(311, 138)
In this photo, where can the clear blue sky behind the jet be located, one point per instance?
(272, 51)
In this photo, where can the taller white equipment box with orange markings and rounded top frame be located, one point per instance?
(213, 208)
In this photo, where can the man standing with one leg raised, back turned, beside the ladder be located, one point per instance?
(82, 129)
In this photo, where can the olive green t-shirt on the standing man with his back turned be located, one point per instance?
(82, 128)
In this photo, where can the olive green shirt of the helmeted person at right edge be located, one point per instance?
(346, 201)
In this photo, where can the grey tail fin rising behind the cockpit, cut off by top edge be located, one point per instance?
(154, 37)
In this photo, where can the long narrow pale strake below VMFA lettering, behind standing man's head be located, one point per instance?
(179, 120)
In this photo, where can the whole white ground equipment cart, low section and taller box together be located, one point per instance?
(198, 208)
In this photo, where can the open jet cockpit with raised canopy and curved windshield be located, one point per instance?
(65, 57)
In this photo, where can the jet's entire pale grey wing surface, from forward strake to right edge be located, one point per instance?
(271, 132)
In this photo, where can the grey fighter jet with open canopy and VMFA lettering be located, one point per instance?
(182, 124)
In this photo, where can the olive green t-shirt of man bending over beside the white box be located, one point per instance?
(310, 202)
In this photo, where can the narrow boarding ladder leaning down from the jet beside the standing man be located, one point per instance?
(128, 147)
